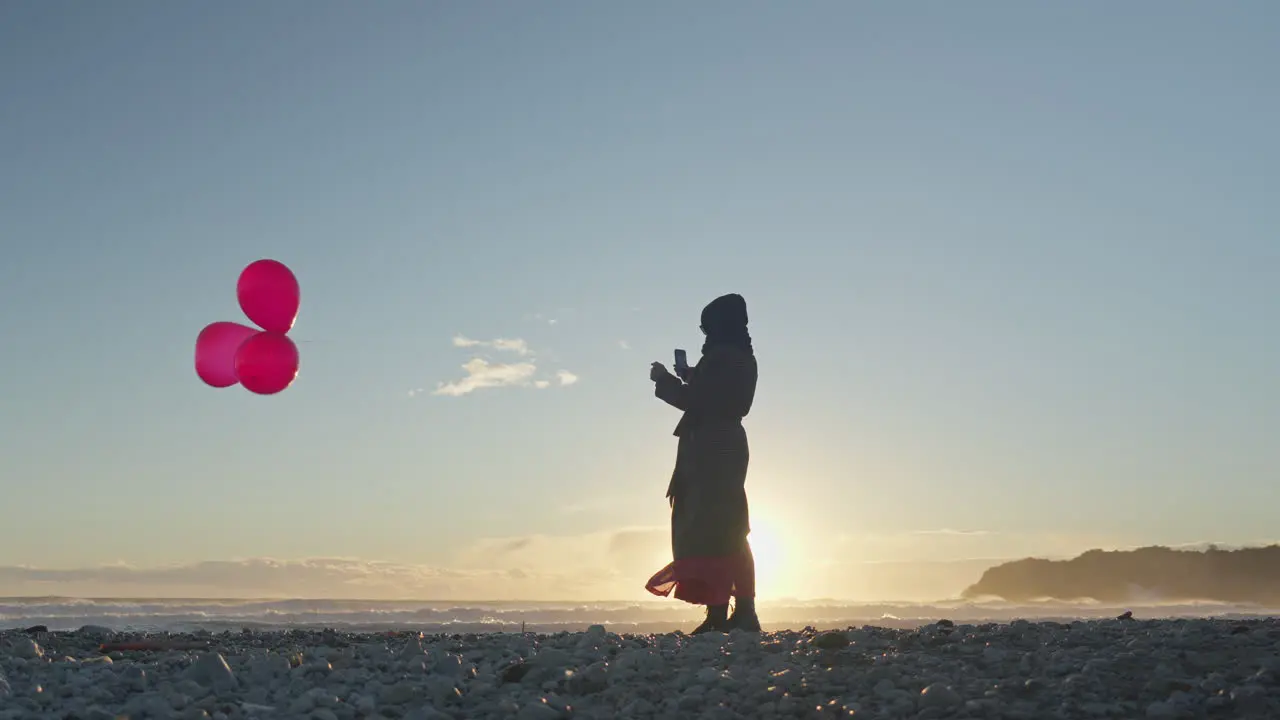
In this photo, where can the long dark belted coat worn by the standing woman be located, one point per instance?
(710, 514)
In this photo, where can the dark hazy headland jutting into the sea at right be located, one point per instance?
(1249, 576)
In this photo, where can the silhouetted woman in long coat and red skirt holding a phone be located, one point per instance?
(710, 520)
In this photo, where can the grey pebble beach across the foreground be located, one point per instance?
(1163, 669)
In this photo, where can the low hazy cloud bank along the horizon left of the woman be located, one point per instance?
(597, 566)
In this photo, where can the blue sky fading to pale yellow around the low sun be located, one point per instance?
(1013, 270)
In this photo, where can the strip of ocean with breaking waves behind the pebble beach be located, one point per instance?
(221, 616)
